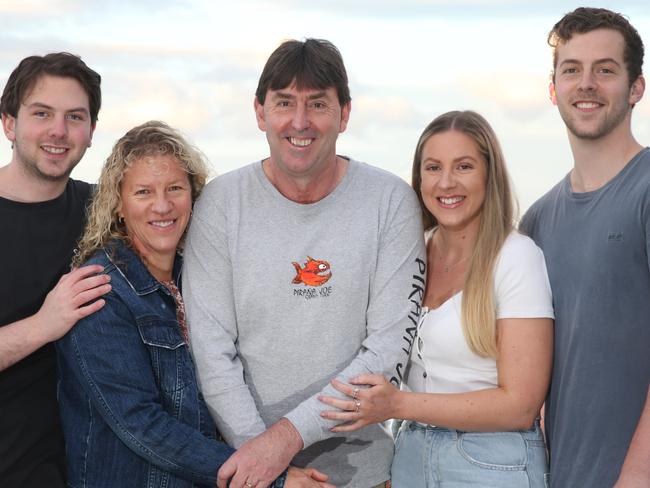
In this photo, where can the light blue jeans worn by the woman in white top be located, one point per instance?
(428, 457)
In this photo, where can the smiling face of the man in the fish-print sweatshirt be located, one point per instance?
(302, 127)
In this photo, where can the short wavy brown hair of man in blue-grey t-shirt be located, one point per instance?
(587, 19)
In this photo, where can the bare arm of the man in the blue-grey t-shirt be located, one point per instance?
(636, 467)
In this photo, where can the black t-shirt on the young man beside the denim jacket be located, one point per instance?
(36, 247)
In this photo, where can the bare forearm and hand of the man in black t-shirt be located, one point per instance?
(64, 305)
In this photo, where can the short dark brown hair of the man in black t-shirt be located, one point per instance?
(66, 65)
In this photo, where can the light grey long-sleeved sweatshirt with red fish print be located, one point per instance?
(282, 297)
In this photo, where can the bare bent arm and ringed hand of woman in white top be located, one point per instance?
(524, 367)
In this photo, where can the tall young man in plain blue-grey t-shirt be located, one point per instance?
(594, 229)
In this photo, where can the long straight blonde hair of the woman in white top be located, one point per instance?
(496, 223)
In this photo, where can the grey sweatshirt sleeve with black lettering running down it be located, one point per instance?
(397, 290)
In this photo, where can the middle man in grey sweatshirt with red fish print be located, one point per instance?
(300, 268)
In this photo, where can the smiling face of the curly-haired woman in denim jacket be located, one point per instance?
(156, 205)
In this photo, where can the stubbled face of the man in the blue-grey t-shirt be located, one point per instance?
(591, 86)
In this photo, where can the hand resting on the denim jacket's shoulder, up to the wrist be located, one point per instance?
(69, 300)
